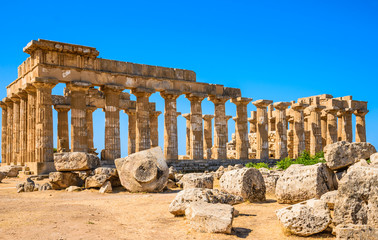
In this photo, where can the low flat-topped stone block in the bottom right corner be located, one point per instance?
(361, 232)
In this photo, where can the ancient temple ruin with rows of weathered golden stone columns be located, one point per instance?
(92, 83)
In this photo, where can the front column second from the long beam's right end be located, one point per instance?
(219, 150)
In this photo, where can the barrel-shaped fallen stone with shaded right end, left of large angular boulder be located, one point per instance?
(245, 182)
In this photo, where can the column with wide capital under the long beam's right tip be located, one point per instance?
(241, 127)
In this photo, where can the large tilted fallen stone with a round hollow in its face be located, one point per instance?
(144, 171)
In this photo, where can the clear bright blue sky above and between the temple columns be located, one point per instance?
(277, 50)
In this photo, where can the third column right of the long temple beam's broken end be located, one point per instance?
(299, 134)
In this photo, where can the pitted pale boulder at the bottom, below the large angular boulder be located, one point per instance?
(305, 218)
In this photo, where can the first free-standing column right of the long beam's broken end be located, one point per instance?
(262, 148)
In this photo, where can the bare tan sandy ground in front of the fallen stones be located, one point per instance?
(120, 215)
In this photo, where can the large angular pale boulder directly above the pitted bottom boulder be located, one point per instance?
(300, 183)
